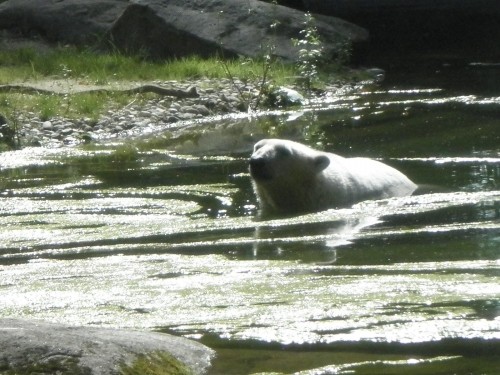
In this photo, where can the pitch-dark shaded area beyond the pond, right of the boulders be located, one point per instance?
(420, 32)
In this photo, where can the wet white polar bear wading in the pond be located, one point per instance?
(291, 178)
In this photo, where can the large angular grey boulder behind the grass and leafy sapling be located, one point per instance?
(176, 28)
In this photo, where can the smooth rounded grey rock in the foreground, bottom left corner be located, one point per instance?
(55, 348)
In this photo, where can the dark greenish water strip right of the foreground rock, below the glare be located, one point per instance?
(357, 358)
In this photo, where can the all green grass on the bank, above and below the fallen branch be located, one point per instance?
(89, 68)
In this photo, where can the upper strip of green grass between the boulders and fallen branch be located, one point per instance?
(65, 63)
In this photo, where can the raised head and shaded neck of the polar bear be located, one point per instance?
(284, 172)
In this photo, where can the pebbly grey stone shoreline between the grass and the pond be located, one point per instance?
(215, 98)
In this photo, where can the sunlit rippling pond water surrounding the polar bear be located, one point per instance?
(161, 235)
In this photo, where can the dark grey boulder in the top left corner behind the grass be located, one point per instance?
(63, 21)
